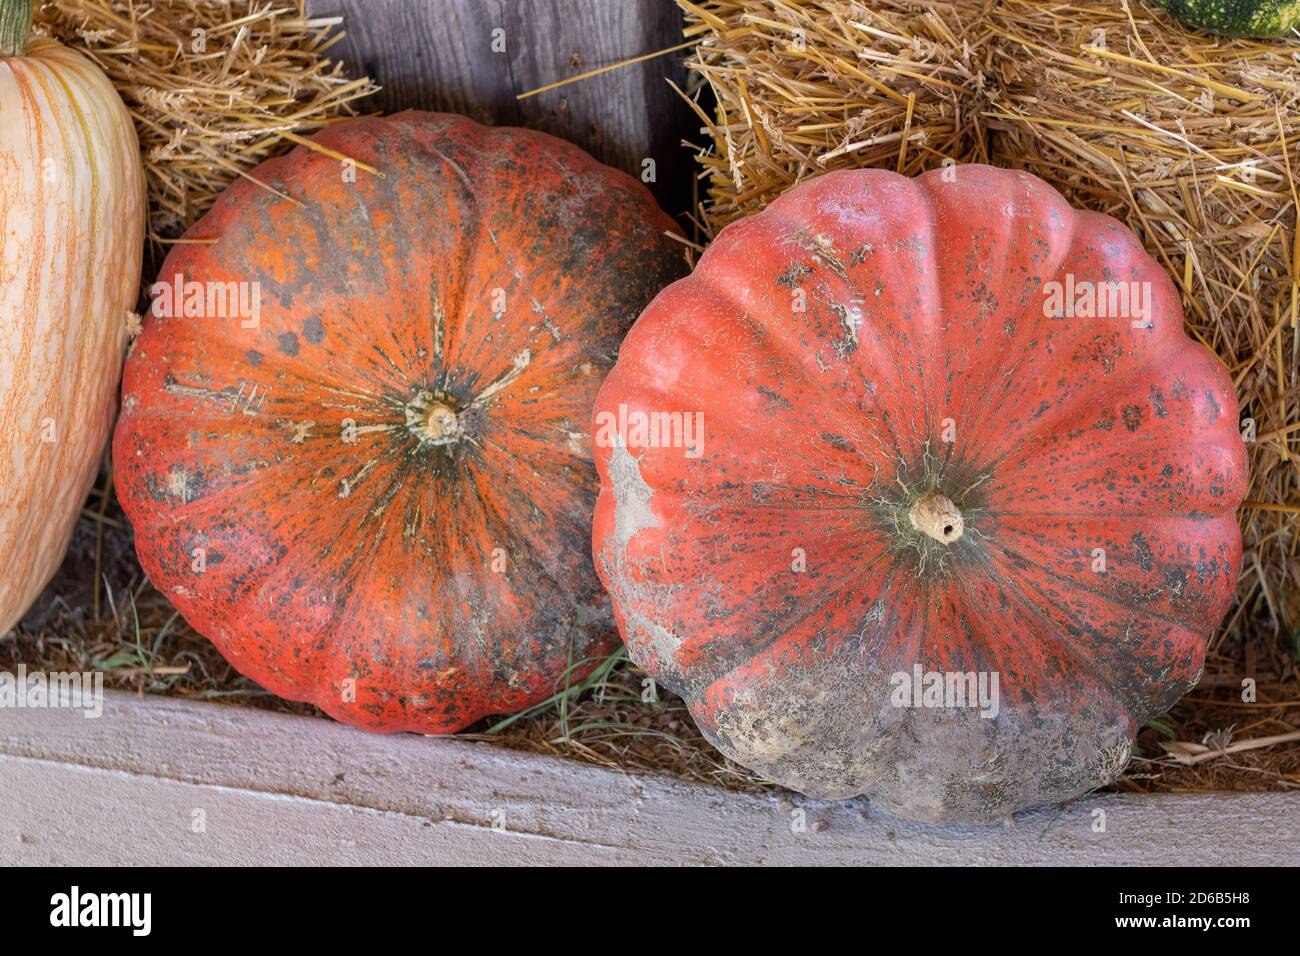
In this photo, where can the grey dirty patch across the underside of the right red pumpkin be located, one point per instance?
(830, 732)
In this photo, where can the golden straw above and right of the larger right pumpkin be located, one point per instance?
(1193, 141)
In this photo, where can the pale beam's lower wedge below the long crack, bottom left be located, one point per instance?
(67, 815)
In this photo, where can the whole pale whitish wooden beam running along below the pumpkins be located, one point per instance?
(279, 789)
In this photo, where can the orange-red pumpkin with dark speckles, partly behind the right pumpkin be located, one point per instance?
(354, 443)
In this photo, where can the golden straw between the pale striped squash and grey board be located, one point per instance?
(214, 88)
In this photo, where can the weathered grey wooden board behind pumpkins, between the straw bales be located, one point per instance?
(440, 55)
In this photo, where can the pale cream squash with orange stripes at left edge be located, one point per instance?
(72, 227)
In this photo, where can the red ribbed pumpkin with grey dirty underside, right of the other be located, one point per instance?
(869, 344)
